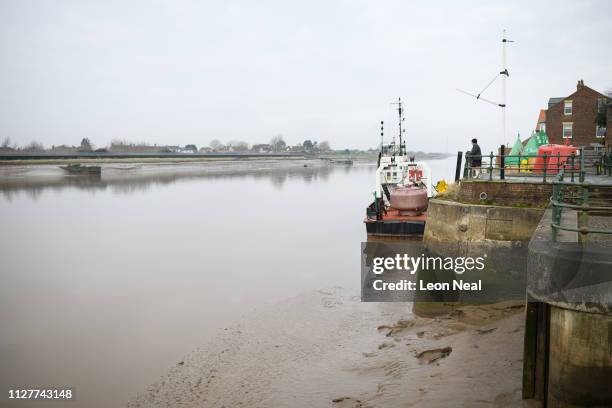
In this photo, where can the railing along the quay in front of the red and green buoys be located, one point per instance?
(502, 166)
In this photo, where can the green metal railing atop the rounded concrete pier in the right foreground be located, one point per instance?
(577, 197)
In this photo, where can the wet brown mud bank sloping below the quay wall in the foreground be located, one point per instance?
(326, 348)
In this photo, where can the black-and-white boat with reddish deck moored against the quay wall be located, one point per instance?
(402, 191)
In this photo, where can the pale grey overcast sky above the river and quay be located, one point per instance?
(177, 72)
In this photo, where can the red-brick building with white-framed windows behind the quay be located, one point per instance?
(574, 117)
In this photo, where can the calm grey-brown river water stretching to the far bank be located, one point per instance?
(107, 283)
